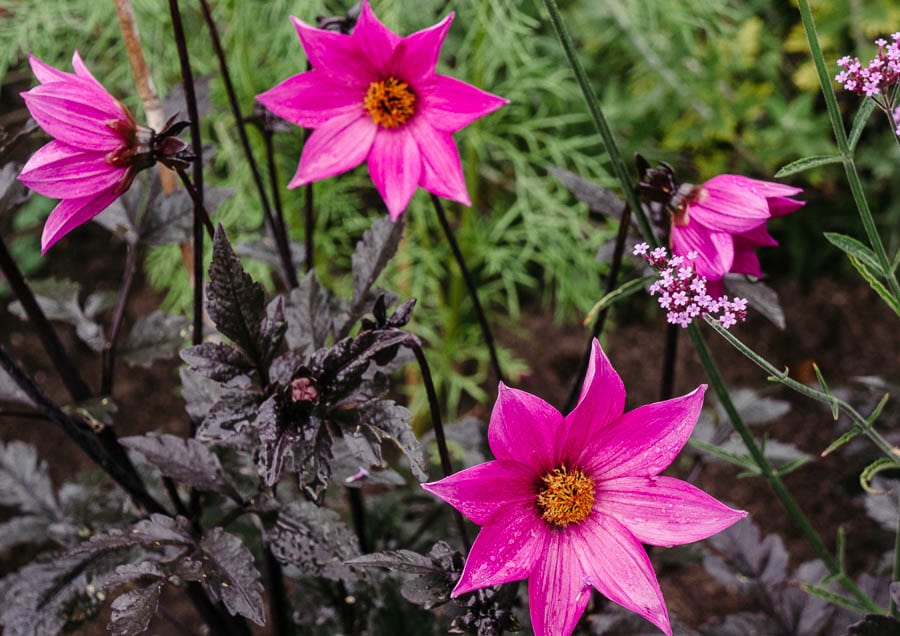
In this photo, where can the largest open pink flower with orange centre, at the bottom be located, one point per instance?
(569, 500)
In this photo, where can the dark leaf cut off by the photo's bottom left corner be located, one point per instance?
(45, 595)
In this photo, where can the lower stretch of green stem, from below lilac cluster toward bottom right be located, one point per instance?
(789, 503)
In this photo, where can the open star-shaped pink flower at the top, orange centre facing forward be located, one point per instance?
(374, 96)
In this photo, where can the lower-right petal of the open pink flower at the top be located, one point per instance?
(442, 173)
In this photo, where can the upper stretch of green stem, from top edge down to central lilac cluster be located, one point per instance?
(612, 149)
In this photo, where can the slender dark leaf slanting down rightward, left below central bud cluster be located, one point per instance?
(187, 461)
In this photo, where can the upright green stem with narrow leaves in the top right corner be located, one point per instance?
(840, 135)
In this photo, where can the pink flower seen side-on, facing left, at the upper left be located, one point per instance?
(96, 151)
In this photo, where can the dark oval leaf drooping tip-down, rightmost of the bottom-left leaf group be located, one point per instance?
(231, 575)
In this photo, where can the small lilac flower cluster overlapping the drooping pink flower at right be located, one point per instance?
(682, 292)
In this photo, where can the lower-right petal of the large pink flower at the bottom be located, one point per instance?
(618, 567)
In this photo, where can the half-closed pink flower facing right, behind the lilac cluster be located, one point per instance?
(724, 221)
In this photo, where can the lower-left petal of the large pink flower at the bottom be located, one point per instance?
(506, 549)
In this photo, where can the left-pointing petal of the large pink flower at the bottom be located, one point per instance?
(478, 492)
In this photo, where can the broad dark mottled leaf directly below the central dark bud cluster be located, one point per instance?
(314, 540)
